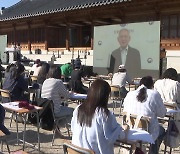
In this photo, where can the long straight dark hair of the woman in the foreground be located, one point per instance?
(97, 97)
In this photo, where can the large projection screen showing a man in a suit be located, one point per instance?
(142, 53)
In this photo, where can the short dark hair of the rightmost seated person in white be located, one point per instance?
(170, 73)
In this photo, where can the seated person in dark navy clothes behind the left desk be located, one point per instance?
(16, 84)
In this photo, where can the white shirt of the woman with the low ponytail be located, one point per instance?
(152, 107)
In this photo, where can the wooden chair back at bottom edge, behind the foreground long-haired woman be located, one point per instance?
(69, 148)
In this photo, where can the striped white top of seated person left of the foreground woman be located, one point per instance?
(55, 90)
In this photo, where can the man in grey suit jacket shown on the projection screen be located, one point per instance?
(125, 55)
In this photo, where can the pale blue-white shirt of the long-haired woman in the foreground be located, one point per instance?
(102, 134)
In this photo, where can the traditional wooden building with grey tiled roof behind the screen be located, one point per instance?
(65, 24)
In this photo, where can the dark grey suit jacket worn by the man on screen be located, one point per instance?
(133, 61)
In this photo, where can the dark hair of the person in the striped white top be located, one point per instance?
(54, 72)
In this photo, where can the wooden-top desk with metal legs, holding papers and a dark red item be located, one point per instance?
(13, 107)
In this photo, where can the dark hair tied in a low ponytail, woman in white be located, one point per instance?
(147, 81)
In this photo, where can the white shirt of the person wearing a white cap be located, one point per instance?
(120, 79)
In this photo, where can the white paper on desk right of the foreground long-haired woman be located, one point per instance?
(142, 135)
